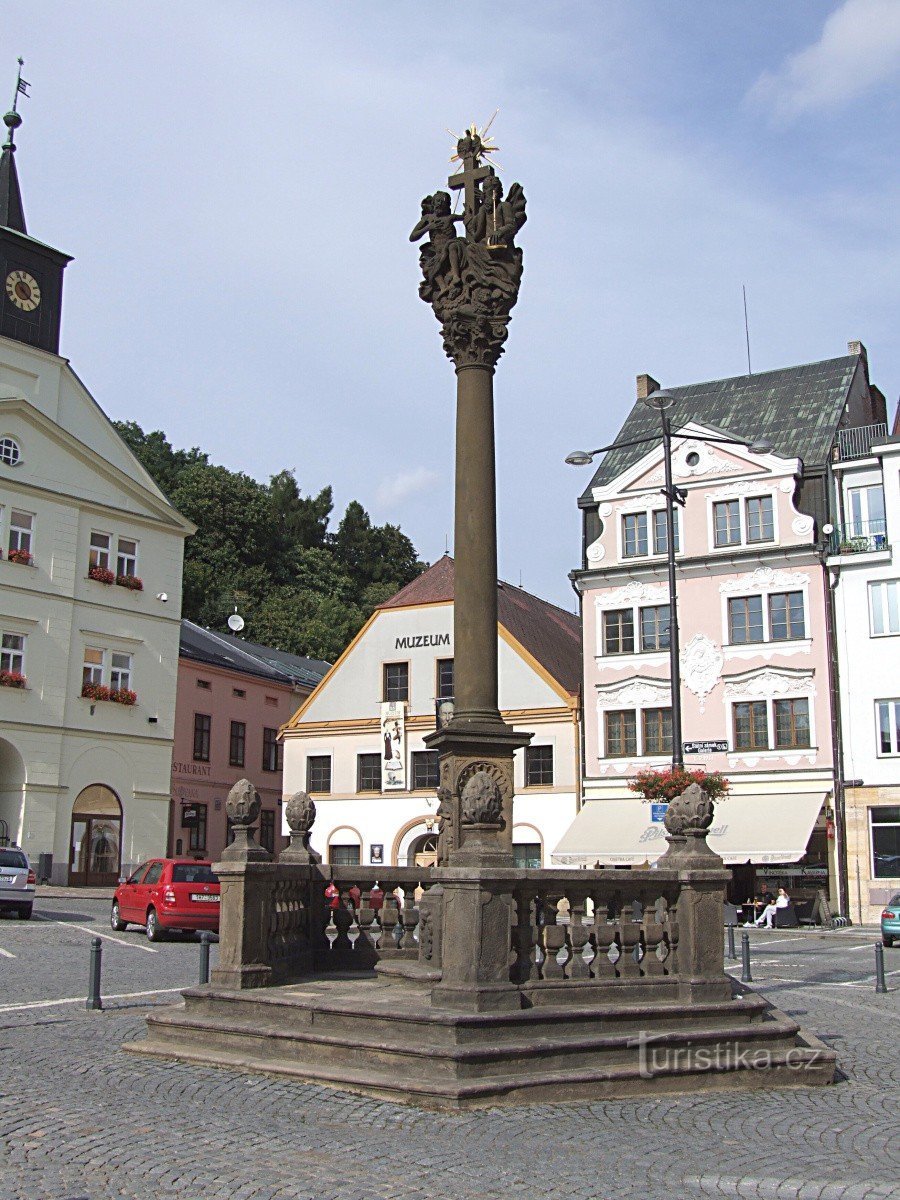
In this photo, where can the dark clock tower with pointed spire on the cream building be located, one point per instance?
(31, 272)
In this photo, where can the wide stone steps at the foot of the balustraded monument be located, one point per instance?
(383, 1035)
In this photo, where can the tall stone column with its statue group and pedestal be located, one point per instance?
(471, 279)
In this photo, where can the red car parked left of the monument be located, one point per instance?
(166, 895)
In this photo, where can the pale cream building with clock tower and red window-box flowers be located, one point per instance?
(91, 597)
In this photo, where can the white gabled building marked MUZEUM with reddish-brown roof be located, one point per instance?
(357, 743)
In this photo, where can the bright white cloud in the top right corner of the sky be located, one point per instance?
(860, 49)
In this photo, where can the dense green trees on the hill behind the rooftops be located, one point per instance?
(268, 550)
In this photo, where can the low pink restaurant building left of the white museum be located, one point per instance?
(233, 698)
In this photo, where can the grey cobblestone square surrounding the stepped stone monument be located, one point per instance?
(82, 1121)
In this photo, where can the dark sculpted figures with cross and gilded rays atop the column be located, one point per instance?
(471, 265)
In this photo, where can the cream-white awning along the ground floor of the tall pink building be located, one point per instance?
(758, 830)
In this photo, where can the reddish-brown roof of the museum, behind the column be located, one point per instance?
(550, 635)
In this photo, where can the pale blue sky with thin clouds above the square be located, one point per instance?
(237, 184)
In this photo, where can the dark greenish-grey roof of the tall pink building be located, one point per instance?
(796, 409)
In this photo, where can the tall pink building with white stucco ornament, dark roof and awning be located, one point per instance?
(754, 619)
